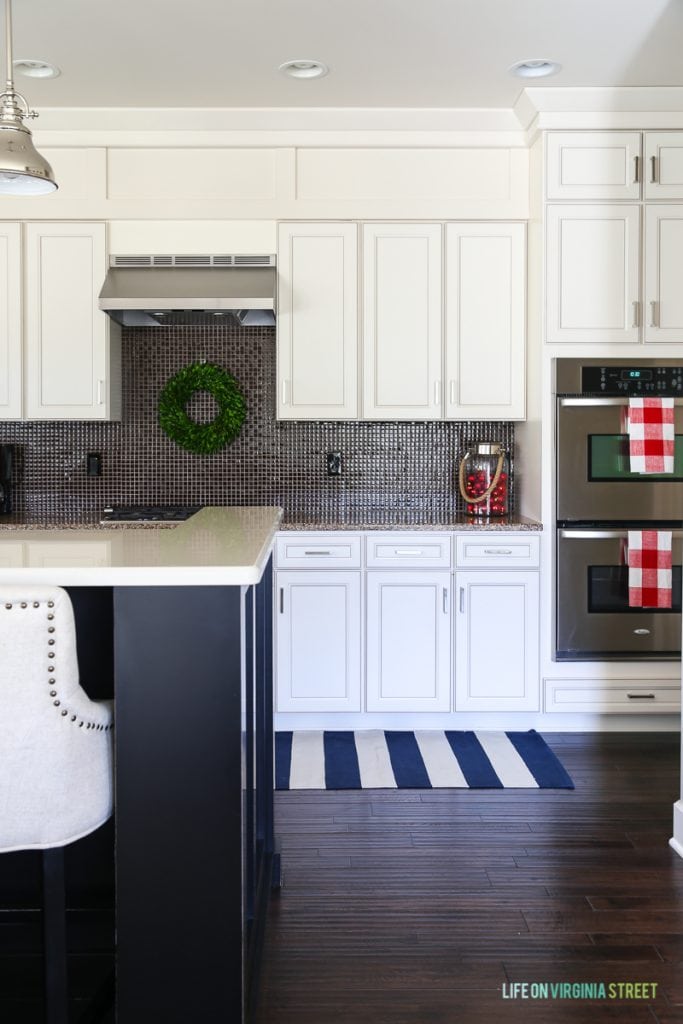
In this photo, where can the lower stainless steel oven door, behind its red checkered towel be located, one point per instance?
(594, 620)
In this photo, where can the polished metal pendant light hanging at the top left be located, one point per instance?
(23, 170)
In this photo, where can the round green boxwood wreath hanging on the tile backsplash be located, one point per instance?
(202, 439)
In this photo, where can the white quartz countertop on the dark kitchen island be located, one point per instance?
(223, 547)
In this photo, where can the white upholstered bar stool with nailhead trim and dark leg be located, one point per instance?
(56, 755)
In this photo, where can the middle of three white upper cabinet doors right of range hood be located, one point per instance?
(402, 322)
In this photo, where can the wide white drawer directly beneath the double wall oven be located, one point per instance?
(624, 697)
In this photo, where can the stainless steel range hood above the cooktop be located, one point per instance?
(148, 291)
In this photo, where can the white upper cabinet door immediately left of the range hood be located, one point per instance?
(68, 359)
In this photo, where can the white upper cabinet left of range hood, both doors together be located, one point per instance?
(60, 355)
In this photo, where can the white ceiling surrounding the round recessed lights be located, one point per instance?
(381, 54)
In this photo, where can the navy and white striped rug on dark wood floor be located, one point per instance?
(377, 760)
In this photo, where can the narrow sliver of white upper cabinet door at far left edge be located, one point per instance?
(11, 322)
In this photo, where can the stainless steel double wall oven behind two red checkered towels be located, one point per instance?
(600, 500)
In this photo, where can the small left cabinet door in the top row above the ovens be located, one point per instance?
(594, 165)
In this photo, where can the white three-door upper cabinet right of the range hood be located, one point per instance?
(403, 312)
